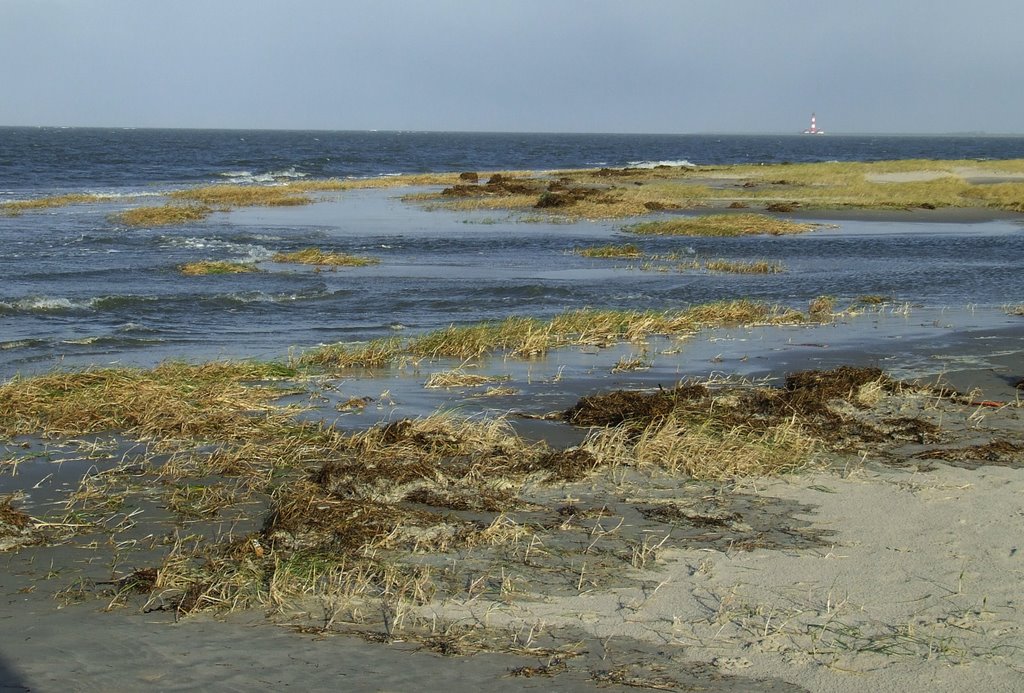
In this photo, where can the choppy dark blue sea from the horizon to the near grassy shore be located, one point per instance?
(78, 289)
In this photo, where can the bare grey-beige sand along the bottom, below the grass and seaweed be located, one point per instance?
(688, 614)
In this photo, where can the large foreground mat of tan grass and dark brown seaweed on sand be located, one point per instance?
(348, 532)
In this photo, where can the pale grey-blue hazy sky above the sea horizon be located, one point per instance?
(523, 66)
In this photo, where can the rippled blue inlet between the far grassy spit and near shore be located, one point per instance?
(79, 290)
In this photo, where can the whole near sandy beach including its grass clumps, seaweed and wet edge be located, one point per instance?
(881, 550)
